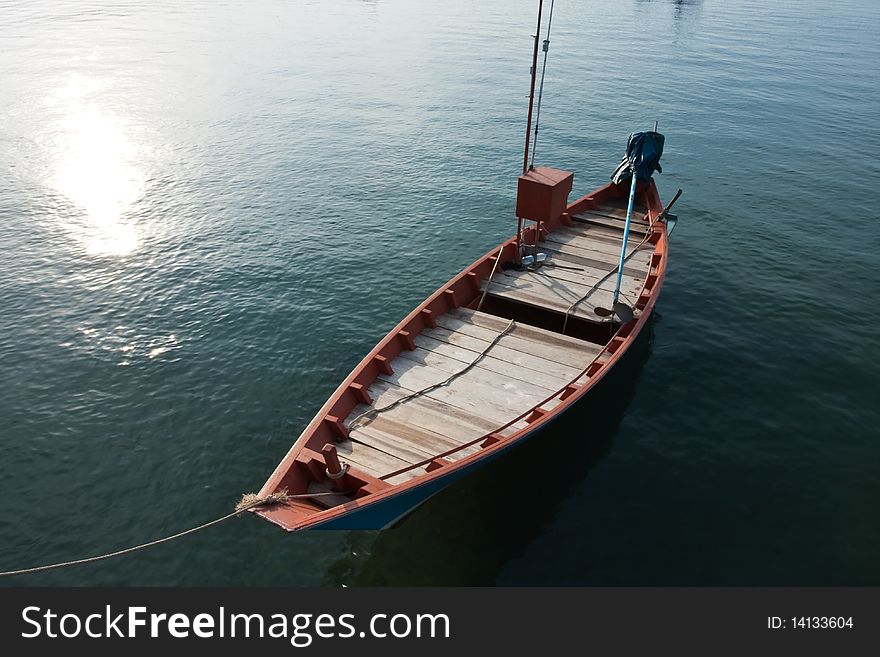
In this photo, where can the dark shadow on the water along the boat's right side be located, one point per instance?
(467, 532)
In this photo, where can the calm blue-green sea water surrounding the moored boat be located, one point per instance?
(210, 211)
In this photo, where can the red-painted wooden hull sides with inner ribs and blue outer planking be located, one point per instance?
(379, 505)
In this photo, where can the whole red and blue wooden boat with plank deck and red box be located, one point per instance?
(486, 361)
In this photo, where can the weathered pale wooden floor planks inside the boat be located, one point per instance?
(490, 381)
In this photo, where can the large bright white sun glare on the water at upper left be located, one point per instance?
(96, 168)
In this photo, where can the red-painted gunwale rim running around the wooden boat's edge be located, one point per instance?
(633, 329)
